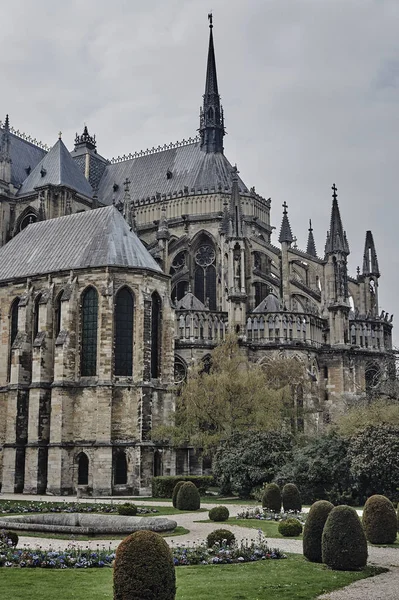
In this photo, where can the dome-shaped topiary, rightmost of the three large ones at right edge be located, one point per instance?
(380, 520)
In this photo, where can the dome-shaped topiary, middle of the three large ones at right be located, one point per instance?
(343, 543)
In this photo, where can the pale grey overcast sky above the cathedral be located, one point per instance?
(310, 90)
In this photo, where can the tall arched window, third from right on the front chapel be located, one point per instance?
(88, 358)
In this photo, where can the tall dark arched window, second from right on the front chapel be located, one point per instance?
(124, 306)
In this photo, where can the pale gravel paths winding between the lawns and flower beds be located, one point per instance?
(381, 587)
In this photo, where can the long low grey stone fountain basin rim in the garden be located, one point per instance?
(85, 524)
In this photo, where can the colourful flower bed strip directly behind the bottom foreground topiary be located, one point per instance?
(198, 554)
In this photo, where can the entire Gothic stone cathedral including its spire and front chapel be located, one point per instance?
(117, 275)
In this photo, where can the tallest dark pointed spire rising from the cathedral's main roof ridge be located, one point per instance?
(211, 114)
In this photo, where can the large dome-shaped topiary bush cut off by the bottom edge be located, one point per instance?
(144, 568)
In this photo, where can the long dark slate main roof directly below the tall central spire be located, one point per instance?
(189, 167)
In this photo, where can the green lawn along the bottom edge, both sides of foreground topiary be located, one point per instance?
(290, 579)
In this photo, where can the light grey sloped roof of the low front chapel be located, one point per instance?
(94, 238)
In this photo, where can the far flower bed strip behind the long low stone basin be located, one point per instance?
(11, 507)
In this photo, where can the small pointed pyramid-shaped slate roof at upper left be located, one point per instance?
(57, 168)
